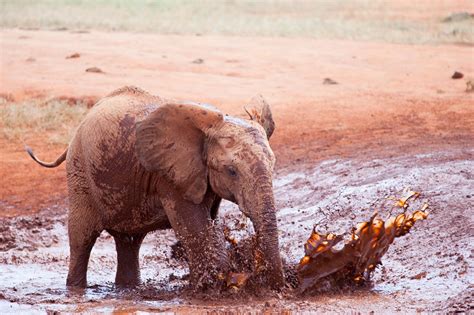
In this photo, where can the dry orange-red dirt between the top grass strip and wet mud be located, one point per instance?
(390, 99)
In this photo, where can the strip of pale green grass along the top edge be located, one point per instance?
(339, 19)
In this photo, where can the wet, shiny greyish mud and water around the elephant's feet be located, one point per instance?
(431, 269)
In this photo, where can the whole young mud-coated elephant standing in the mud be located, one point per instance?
(138, 163)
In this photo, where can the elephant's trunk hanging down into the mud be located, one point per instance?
(260, 206)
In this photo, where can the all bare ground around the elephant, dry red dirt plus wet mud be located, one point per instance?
(394, 119)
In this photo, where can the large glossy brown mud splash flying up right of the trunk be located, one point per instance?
(356, 261)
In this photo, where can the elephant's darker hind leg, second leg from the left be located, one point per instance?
(128, 249)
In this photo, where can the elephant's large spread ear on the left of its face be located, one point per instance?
(170, 141)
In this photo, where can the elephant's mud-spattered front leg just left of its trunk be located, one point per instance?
(203, 240)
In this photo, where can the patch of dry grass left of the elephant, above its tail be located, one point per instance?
(56, 119)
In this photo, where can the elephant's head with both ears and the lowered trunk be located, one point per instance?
(197, 148)
